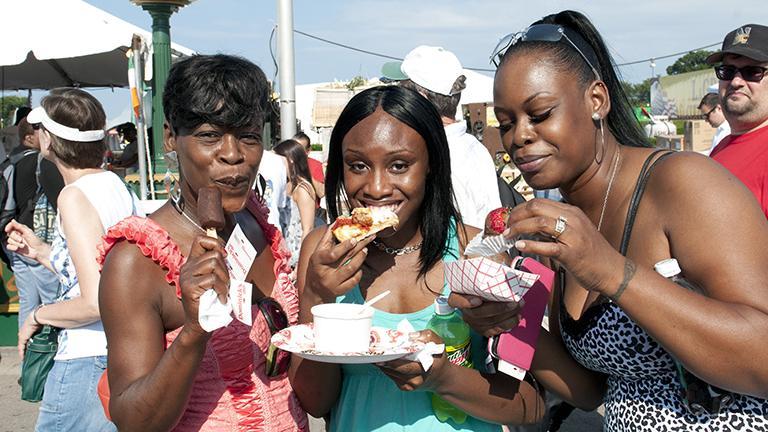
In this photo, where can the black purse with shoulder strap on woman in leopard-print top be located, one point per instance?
(699, 396)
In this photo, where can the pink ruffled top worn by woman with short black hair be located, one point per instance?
(231, 391)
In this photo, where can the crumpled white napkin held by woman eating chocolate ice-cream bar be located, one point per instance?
(212, 314)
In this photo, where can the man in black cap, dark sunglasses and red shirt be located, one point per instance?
(743, 95)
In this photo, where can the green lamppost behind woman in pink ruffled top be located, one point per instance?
(161, 11)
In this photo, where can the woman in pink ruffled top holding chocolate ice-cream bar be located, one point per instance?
(165, 371)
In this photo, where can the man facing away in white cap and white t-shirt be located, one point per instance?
(438, 75)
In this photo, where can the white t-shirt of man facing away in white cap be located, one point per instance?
(473, 175)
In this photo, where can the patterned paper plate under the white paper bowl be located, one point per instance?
(386, 345)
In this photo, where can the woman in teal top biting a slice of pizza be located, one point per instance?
(388, 149)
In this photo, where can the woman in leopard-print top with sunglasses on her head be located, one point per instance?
(567, 124)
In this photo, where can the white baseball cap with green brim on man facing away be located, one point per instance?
(433, 68)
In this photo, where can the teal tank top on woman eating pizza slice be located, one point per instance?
(370, 401)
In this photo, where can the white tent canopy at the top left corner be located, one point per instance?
(72, 43)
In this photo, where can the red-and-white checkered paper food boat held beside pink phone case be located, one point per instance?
(488, 279)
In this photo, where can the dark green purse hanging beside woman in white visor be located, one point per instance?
(38, 361)
